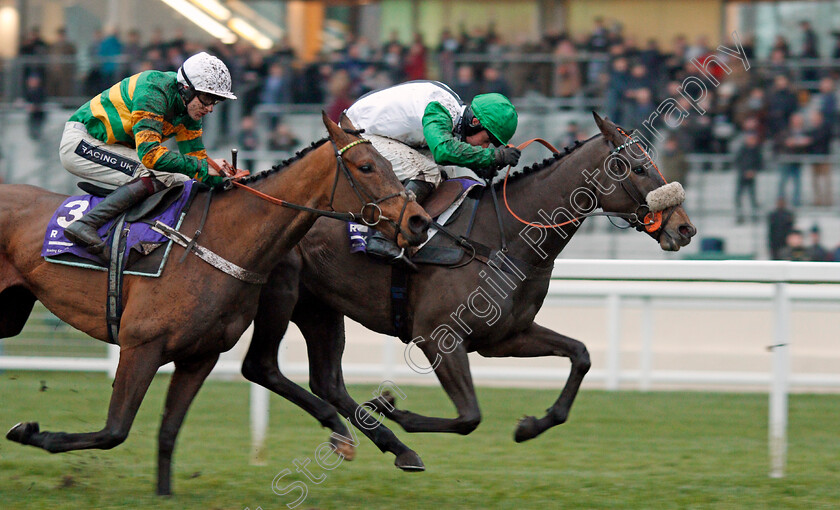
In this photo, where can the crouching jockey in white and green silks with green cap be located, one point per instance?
(403, 120)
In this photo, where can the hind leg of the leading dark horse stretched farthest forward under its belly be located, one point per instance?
(323, 329)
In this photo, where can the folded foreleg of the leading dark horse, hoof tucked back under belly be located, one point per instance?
(453, 371)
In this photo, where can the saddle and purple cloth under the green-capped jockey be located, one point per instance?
(445, 206)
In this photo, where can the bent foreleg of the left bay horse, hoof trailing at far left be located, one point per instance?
(135, 371)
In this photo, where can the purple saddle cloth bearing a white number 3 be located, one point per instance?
(140, 234)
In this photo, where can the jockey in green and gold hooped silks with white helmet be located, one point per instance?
(116, 139)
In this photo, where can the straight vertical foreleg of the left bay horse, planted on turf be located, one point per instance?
(184, 385)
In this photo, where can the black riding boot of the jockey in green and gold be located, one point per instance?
(83, 231)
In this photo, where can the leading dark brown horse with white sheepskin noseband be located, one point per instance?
(448, 312)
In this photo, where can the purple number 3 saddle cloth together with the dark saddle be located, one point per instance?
(168, 206)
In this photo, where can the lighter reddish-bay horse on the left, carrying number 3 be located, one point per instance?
(192, 312)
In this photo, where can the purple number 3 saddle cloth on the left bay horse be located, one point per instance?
(140, 240)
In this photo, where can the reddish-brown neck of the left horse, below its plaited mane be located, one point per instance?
(271, 228)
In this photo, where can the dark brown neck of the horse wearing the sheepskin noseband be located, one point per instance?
(545, 197)
